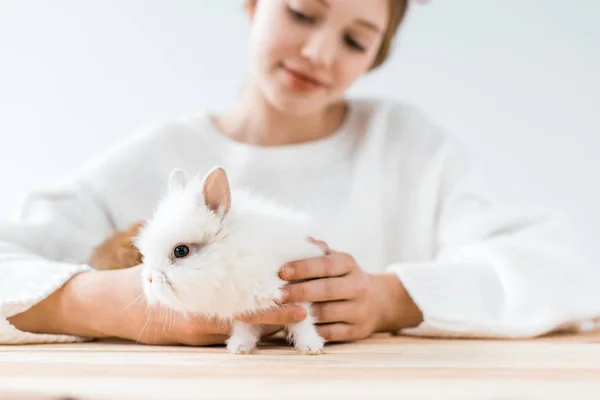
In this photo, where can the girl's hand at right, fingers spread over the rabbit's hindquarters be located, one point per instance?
(349, 304)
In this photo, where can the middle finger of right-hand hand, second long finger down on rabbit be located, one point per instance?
(318, 290)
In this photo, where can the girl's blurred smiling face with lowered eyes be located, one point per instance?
(306, 53)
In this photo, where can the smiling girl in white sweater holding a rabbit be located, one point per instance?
(418, 246)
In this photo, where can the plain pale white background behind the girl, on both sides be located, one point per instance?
(517, 82)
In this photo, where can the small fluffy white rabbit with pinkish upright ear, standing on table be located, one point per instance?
(216, 252)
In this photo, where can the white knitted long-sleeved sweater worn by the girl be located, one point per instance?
(391, 189)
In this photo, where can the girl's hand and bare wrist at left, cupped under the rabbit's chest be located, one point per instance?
(106, 304)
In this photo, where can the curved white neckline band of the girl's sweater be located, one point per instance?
(330, 148)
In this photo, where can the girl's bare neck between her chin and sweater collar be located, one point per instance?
(254, 120)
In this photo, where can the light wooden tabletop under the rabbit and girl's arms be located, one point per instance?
(382, 367)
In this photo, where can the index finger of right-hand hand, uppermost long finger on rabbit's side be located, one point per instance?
(334, 264)
